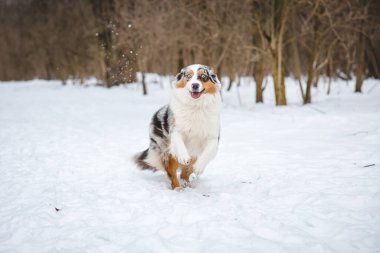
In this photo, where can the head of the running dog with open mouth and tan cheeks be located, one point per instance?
(199, 80)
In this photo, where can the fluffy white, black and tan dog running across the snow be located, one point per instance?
(185, 133)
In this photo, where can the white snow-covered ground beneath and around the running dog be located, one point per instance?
(286, 179)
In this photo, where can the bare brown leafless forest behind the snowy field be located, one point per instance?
(112, 40)
